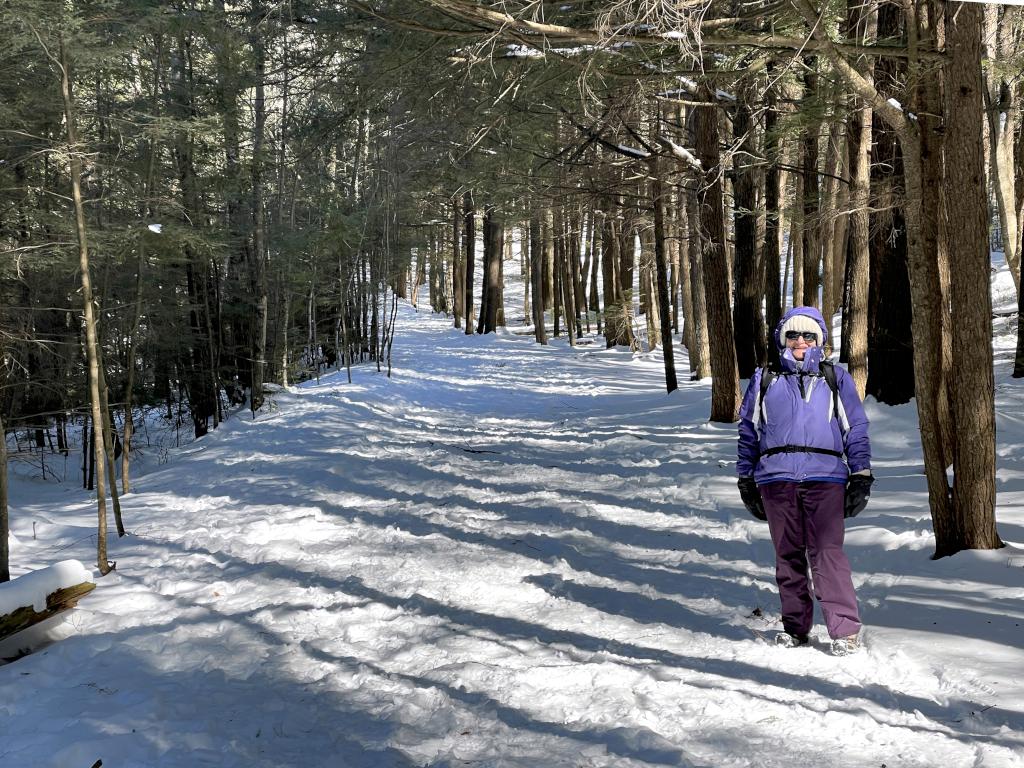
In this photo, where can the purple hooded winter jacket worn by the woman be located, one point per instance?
(798, 411)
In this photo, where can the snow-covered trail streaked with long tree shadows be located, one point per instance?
(505, 556)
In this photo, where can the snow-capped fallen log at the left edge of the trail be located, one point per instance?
(37, 596)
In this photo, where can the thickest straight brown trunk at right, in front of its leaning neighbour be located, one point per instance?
(972, 524)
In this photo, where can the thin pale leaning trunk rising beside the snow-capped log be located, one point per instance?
(92, 340)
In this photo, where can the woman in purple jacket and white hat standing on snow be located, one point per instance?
(796, 428)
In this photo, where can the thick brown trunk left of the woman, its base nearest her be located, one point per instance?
(726, 377)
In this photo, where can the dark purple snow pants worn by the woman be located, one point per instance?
(807, 528)
